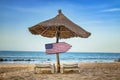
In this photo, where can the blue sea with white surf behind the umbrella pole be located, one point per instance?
(33, 57)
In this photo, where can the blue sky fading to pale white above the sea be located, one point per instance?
(99, 17)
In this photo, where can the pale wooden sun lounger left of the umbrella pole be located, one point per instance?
(44, 66)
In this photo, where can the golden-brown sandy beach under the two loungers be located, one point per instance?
(88, 71)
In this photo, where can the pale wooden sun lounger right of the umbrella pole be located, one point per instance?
(70, 66)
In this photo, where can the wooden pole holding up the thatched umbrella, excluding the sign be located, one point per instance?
(57, 54)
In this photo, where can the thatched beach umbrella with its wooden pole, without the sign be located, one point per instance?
(61, 28)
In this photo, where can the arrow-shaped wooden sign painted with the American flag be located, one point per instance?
(57, 47)
